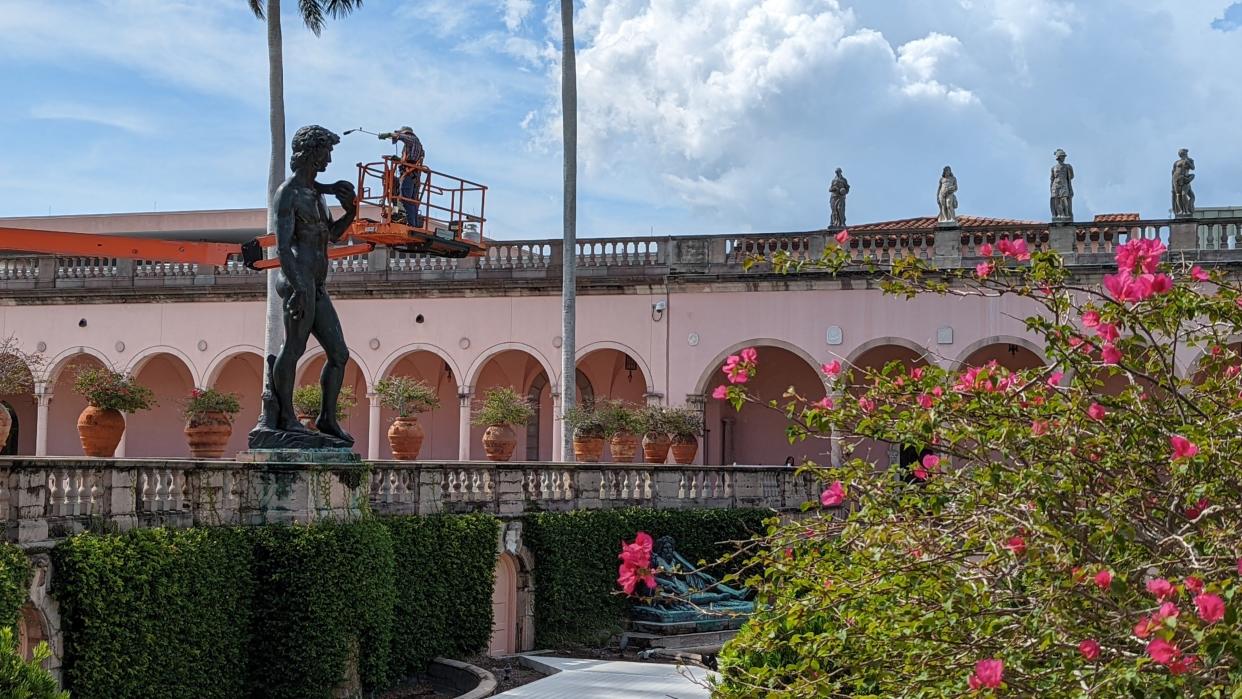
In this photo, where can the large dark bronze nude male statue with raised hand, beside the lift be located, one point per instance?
(304, 229)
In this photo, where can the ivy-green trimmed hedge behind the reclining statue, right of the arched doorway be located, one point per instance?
(577, 594)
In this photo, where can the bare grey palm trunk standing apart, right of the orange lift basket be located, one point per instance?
(569, 253)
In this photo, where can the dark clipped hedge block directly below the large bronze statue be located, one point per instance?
(324, 593)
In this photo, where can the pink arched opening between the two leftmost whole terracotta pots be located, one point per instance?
(161, 431)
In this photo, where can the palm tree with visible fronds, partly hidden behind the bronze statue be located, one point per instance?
(314, 16)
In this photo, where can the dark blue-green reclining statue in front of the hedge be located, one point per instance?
(689, 599)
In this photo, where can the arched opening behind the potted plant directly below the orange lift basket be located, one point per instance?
(440, 425)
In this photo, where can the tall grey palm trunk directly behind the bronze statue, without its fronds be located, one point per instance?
(275, 327)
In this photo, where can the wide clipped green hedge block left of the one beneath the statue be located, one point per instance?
(156, 613)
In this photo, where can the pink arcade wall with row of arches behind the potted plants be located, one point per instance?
(465, 346)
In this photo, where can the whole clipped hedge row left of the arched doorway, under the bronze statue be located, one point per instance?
(271, 611)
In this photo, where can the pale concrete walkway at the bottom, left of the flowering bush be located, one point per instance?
(605, 680)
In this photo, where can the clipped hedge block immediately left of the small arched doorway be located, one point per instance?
(445, 566)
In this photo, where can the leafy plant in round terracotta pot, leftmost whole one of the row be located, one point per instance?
(109, 394)
